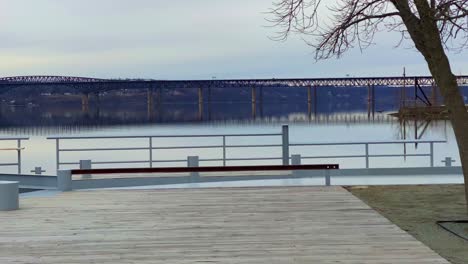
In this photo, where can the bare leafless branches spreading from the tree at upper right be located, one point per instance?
(355, 22)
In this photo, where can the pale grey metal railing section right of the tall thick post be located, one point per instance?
(367, 155)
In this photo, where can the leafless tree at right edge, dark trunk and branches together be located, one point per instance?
(434, 26)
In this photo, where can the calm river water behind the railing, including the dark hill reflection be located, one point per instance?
(347, 125)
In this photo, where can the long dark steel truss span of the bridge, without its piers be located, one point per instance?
(110, 84)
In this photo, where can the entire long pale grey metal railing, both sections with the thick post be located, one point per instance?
(282, 143)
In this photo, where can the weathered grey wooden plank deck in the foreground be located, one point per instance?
(237, 225)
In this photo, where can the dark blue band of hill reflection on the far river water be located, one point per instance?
(73, 114)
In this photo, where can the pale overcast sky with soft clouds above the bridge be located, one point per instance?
(176, 39)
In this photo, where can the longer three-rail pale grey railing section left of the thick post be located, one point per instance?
(224, 147)
